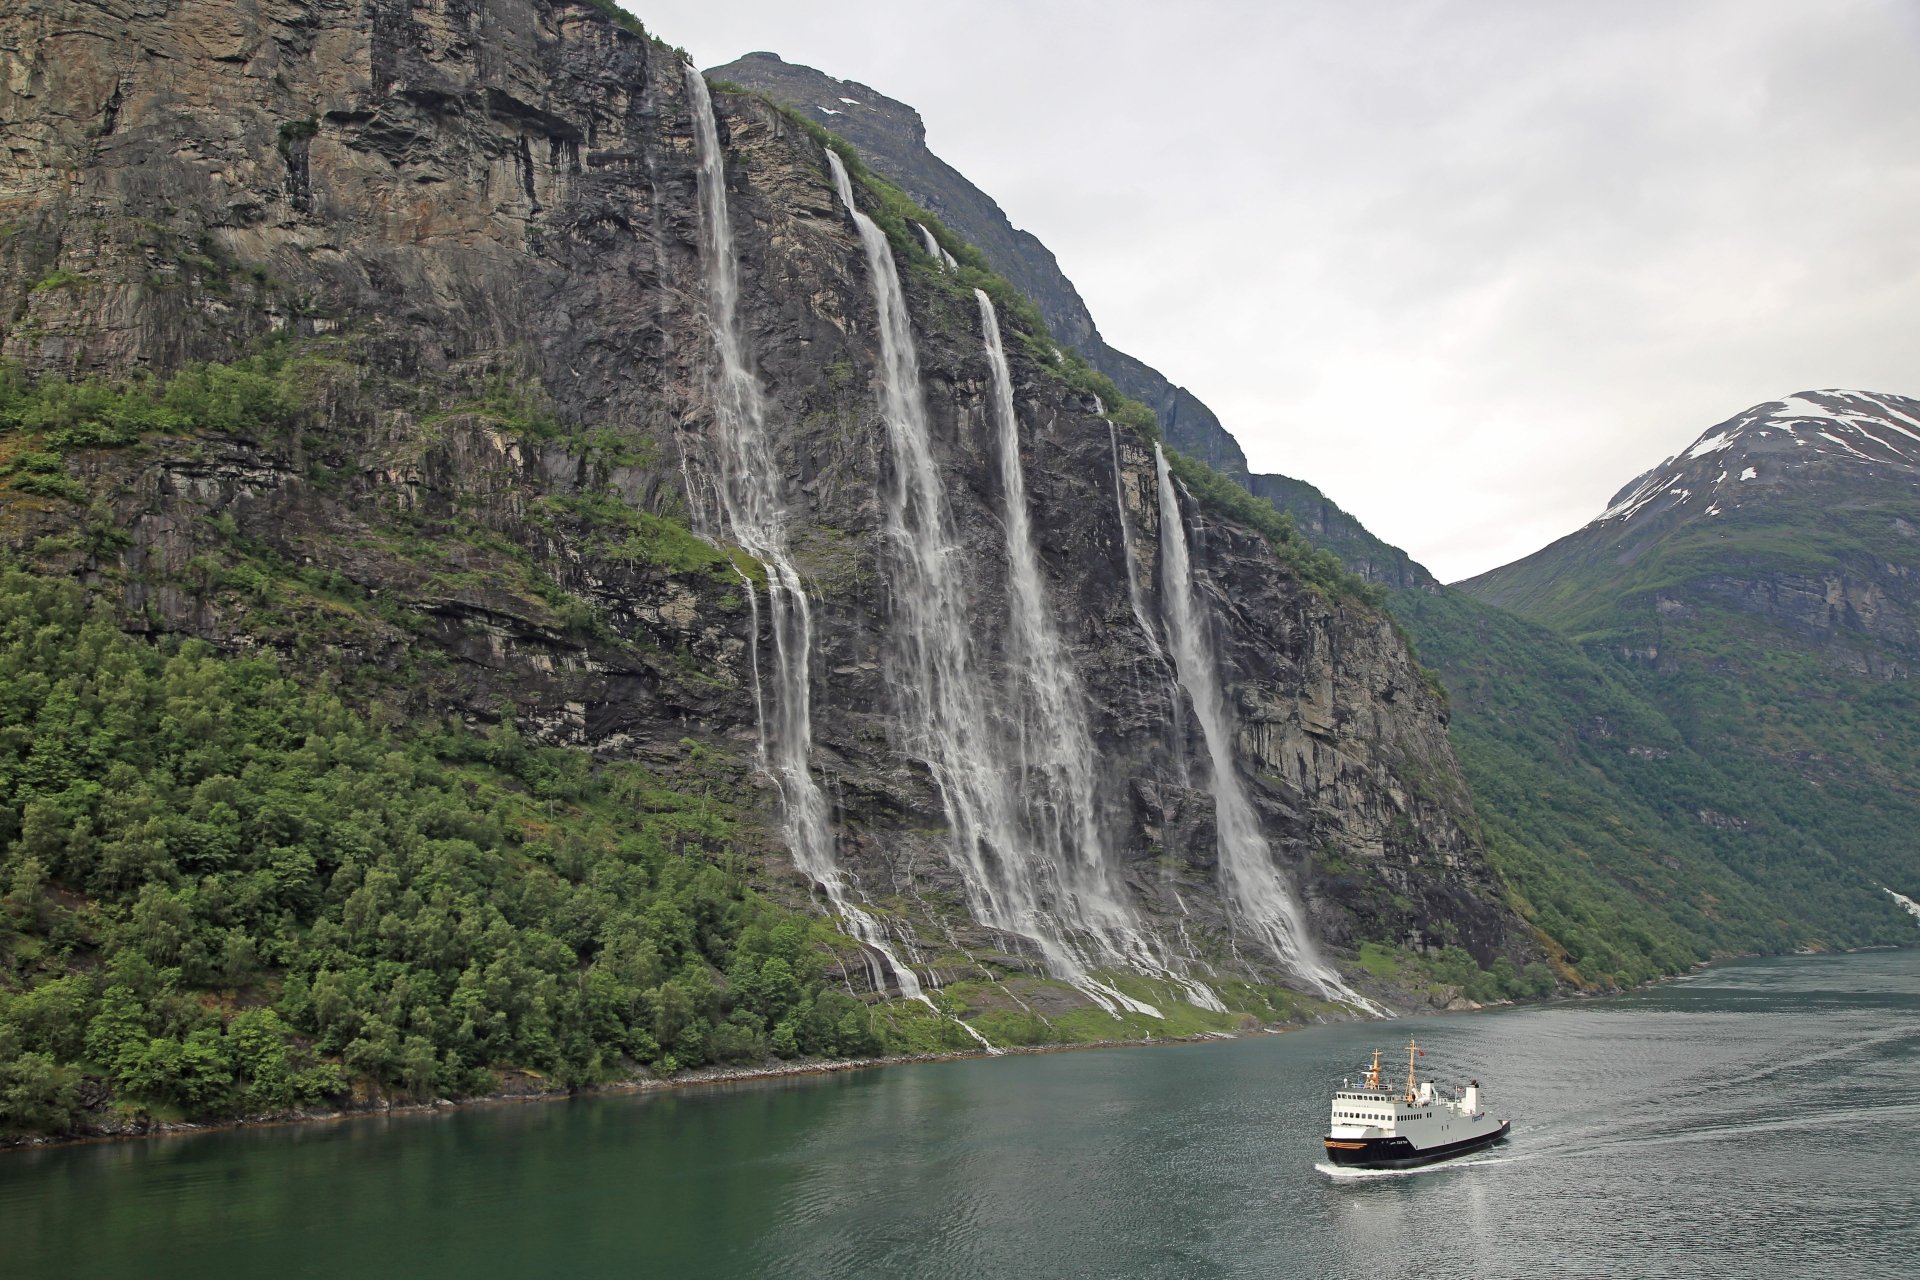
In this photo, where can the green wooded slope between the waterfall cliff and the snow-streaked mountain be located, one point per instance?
(1627, 847)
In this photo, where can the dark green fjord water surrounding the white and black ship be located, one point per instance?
(1760, 1122)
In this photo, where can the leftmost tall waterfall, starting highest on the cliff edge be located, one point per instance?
(756, 513)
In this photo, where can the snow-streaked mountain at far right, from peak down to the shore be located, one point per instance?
(1760, 590)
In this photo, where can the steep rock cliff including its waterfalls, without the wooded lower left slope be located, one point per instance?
(544, 308)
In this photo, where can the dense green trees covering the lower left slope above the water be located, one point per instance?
(231, 895)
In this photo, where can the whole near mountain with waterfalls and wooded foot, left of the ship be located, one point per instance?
(525, 573)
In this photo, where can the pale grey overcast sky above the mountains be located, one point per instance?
(1466, 266)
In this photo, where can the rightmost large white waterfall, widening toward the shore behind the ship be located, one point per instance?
(1253, 888)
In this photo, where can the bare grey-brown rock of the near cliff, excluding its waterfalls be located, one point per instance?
(468, 237)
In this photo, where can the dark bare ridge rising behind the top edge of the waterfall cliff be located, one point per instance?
(894, 141)
